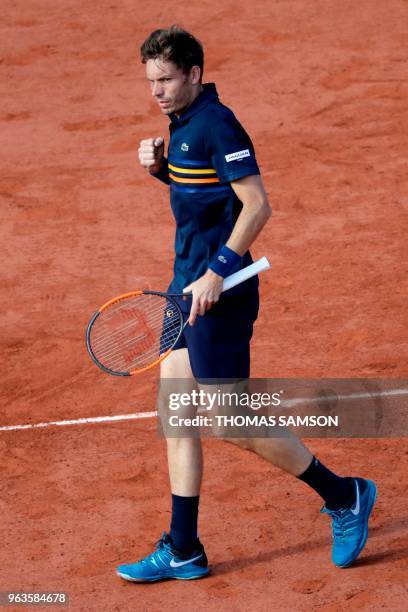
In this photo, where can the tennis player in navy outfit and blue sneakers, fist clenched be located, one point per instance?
(220, 206)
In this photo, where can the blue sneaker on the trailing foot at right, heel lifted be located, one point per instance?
(350, 525)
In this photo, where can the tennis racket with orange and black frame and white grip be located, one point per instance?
(135, 331)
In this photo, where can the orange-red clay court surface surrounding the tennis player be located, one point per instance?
(321, 87)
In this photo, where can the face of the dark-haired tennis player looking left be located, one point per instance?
(171, 87)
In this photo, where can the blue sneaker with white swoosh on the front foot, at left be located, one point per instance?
(167, 562)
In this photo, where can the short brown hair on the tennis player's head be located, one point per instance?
(175, 45)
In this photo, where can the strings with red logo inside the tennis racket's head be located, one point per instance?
(133, 333)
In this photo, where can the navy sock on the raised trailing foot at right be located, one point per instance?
(336, 491)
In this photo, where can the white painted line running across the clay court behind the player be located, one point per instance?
(149, 415)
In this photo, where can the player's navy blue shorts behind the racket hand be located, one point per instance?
(218, 342)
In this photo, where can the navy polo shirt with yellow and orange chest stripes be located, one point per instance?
(208, 149)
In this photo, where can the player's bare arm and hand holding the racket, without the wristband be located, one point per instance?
(253, 216)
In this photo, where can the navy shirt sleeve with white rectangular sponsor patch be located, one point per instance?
(230, 147)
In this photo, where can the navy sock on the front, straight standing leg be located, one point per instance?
(183, 528)
